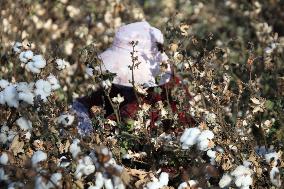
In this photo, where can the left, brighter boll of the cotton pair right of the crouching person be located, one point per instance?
(189, 137)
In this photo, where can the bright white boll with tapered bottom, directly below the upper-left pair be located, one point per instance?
(43, 89)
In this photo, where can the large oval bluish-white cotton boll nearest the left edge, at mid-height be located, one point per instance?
(11, 96)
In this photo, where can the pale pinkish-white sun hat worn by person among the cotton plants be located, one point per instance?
(117, 58)
